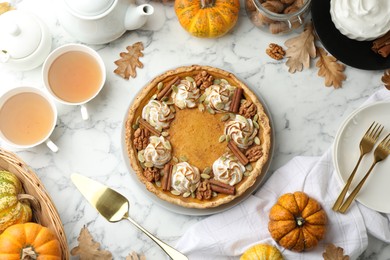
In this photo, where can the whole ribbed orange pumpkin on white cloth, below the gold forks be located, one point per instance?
(297, 222)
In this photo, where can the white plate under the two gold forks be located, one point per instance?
(375, 193)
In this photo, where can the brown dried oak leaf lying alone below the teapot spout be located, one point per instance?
(129, 61)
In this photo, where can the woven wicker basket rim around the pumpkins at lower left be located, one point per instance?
(45, 213)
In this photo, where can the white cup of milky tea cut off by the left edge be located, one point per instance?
(27, 118)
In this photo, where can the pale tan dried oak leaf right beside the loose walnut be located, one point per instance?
(300, 49)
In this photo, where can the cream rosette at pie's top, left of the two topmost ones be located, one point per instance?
(186, 95)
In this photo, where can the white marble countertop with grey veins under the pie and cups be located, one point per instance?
(305, 113)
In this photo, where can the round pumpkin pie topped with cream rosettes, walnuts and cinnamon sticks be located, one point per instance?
(197, 137)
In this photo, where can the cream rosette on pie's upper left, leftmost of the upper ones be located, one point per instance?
(157, 114)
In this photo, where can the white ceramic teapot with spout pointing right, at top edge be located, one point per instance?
(102, 21)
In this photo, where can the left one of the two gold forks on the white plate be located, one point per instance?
(366, 144)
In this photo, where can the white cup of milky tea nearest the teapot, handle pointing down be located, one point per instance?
(74, 74)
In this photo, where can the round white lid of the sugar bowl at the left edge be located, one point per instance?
(20, 34)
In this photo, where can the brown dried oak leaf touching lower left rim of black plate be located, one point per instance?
(330, 69)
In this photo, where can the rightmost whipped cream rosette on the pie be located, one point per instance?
(241, 130)
